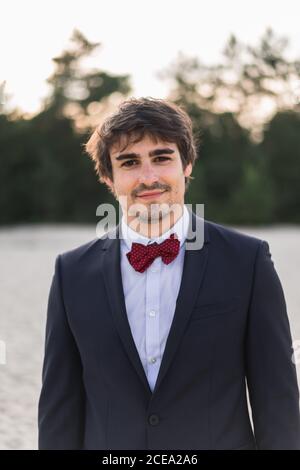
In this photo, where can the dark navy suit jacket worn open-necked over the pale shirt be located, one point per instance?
(230, 327)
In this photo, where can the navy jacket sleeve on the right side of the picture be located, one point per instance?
(270, 370)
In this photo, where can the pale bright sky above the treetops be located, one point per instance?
(138, 37)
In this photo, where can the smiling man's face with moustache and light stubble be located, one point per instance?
(144, 167)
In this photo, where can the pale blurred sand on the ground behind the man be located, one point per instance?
(27, 255)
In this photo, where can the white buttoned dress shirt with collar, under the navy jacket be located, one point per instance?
(150, 297)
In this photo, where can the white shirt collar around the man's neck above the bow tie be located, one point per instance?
(180, 228)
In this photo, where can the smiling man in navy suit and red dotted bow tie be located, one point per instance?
(150, 345)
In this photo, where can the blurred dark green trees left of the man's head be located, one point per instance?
(45, 176)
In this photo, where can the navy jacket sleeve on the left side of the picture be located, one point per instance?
(61, 402)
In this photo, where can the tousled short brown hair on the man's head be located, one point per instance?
(135, 118)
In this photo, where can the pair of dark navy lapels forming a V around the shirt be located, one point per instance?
(195, 262)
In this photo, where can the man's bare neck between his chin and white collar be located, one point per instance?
(155, 228)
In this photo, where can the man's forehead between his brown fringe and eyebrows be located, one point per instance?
(144, 145)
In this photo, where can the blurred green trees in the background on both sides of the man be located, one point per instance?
(46, 177)
